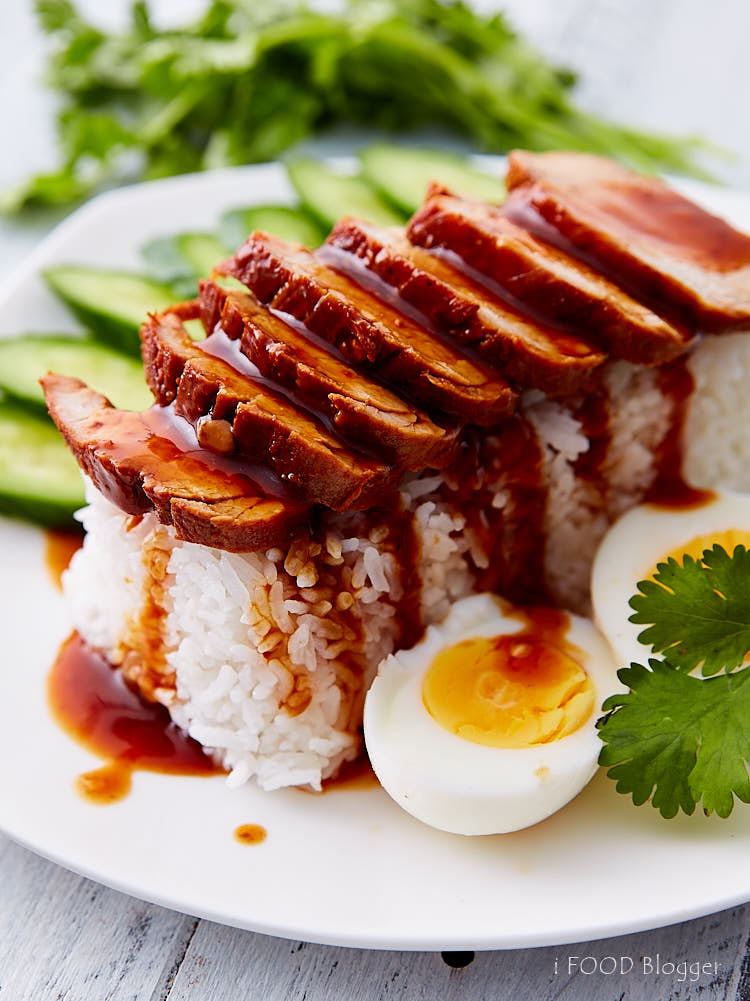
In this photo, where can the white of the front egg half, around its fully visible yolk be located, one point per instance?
(456, 785)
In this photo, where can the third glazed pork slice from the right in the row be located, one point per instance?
(529, 353)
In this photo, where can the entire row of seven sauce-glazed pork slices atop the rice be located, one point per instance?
(333, 374)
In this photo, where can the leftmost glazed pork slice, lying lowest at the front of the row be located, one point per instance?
(142, 463)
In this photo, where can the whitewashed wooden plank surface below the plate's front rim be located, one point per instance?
(65, 938)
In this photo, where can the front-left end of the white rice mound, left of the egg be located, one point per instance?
(246, 636)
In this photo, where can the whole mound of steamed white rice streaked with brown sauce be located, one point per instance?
(265, 658)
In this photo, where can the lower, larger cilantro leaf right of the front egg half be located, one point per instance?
(678, 739)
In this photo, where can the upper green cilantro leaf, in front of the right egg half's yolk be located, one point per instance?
(699, 613)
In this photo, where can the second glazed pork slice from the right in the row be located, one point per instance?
(549, 283)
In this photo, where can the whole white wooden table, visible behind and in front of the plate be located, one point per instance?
(679, 65)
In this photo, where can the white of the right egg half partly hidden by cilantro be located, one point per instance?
(631, 550)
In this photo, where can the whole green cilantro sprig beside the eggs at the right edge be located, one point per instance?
(676, 739)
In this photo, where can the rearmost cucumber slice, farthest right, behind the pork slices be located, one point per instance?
(402, 175)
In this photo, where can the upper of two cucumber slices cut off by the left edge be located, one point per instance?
(25, 360)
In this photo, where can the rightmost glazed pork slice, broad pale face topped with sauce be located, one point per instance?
(657, 243)
